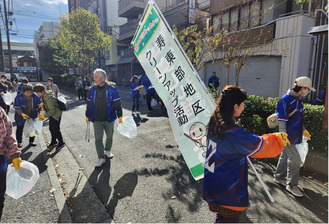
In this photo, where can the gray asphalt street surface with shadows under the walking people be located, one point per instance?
(147, 180)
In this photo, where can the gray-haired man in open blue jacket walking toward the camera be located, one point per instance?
(103, 108)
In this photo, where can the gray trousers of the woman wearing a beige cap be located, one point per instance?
(289, 165)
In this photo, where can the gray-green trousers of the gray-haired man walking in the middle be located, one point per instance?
(99, 128)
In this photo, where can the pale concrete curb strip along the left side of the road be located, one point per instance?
(64, 214)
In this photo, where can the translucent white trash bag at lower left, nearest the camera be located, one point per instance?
(22, 181)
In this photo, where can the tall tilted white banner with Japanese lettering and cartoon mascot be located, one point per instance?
(186, 98)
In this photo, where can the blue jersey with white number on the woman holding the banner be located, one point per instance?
(228, 183)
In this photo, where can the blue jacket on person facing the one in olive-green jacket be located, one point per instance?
(20, 102)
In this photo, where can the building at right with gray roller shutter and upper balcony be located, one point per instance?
(291, 49)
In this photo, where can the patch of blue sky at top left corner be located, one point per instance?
(28, 15)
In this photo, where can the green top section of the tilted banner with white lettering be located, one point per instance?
(153, 20)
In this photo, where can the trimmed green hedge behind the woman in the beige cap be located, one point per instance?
(257, 109)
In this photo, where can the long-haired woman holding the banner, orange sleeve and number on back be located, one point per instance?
(228, 145)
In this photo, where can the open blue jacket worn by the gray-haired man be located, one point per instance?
(112, 95)
